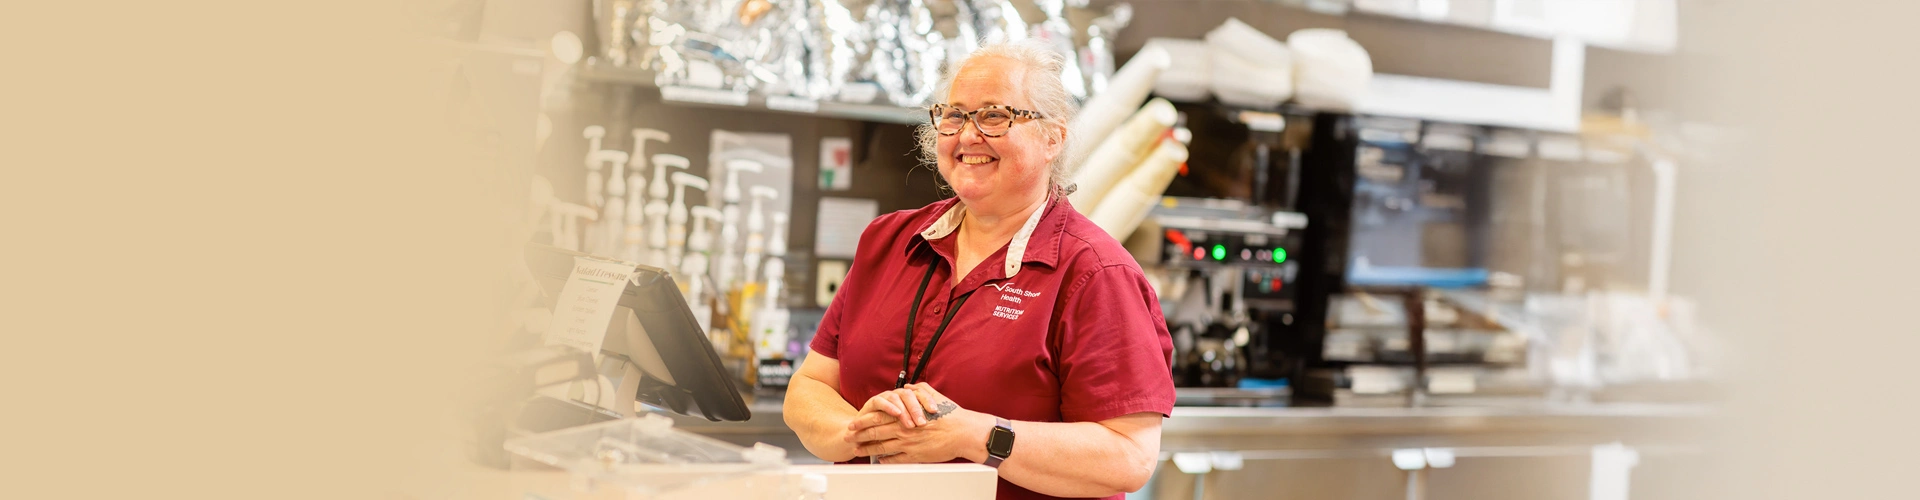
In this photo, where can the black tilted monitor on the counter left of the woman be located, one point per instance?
(669, 361)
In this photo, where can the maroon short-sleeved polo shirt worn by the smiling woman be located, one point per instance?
(1061, 324)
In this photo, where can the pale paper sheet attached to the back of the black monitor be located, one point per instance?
(587, 303)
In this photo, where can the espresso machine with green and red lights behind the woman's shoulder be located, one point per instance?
(1224, 253)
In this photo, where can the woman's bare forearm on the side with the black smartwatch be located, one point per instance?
(1082, 459)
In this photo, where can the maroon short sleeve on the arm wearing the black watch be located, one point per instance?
(1115, 349)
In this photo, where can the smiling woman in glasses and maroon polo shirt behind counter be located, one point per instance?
(1053, 359)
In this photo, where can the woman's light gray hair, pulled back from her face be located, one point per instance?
(1045, 89)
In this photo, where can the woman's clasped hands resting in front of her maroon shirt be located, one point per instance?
(917, 426)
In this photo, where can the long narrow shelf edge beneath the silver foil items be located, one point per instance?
(754, 103)
